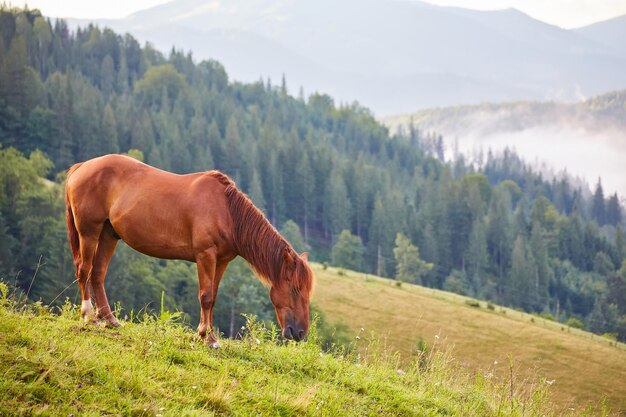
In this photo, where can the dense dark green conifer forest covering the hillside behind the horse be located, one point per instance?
(333, 179)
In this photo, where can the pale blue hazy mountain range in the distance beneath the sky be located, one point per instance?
(391, 55)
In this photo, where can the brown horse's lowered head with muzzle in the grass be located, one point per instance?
(290, 295)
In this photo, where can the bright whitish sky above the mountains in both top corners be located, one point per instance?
(564, 13)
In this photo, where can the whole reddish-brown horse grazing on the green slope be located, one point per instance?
(200, 217)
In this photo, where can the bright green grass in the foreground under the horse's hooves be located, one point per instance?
(53, 364)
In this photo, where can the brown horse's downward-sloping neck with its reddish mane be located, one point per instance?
(257, 241)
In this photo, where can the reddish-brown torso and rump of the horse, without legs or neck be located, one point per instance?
(152, 210)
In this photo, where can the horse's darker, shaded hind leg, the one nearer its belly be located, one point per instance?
(106, 247)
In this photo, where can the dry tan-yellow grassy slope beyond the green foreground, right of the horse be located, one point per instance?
(579, 367)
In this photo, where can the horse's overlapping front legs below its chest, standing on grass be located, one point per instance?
(209, 276)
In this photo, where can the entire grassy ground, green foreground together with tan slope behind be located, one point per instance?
(415, 352)
